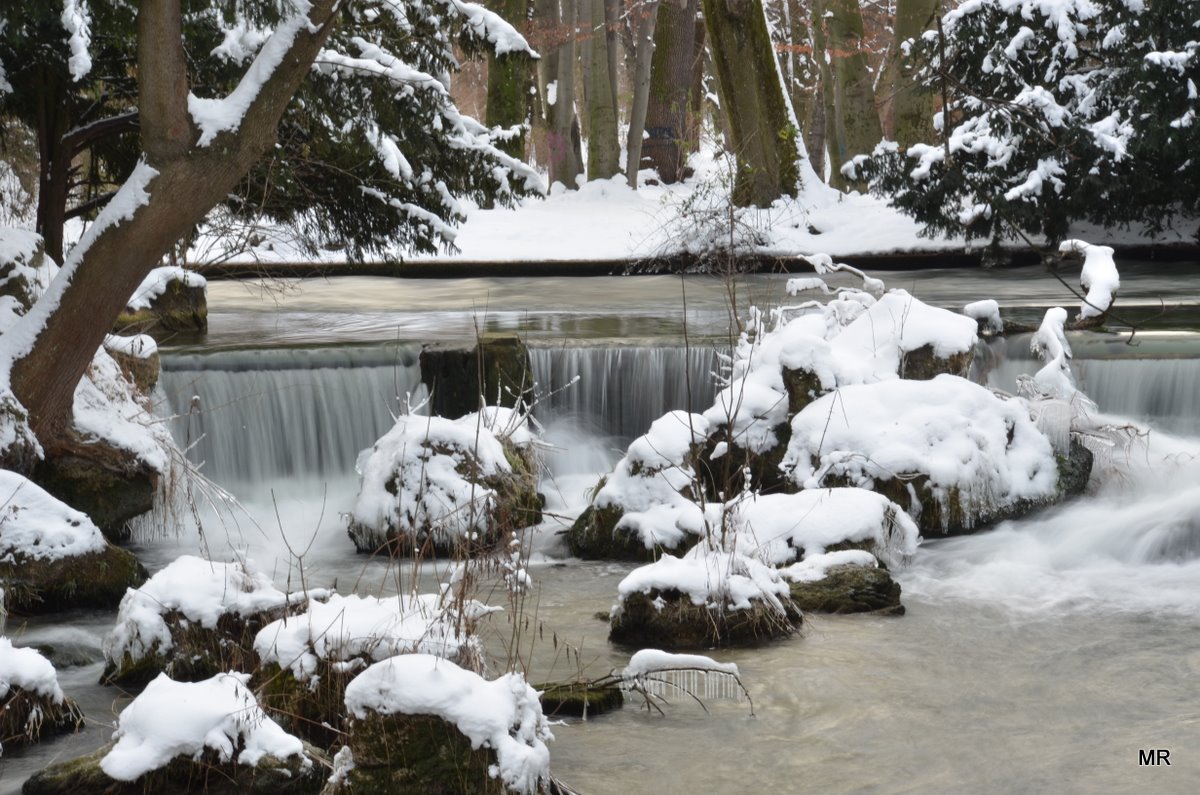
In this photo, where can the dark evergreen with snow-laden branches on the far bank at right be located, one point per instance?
(1081, 111)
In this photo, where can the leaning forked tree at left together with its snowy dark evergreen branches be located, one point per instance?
(379, 106)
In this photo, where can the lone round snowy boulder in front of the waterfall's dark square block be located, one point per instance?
(447, 487)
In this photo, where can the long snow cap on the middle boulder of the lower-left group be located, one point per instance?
(350, 627)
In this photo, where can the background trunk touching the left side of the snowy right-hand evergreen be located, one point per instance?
(913, 105)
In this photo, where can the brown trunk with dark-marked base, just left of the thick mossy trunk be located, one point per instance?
(669, 107)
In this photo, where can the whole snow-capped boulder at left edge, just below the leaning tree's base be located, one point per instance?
(55, 558)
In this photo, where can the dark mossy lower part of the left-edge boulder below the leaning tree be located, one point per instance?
(92, 581)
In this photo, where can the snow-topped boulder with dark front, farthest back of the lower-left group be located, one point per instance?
(193, 619)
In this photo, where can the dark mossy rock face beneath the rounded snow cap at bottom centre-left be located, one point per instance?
(423, 755)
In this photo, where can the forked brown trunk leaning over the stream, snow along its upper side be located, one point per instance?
(59, 337)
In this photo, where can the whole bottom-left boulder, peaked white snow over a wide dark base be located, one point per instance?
(208, 737)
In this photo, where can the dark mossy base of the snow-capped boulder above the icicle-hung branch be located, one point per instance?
(670, 620)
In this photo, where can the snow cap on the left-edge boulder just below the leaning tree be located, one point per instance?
(38, 527)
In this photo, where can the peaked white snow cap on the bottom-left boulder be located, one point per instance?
(171, 720)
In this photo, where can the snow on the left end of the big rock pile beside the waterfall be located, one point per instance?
(650, 482)
